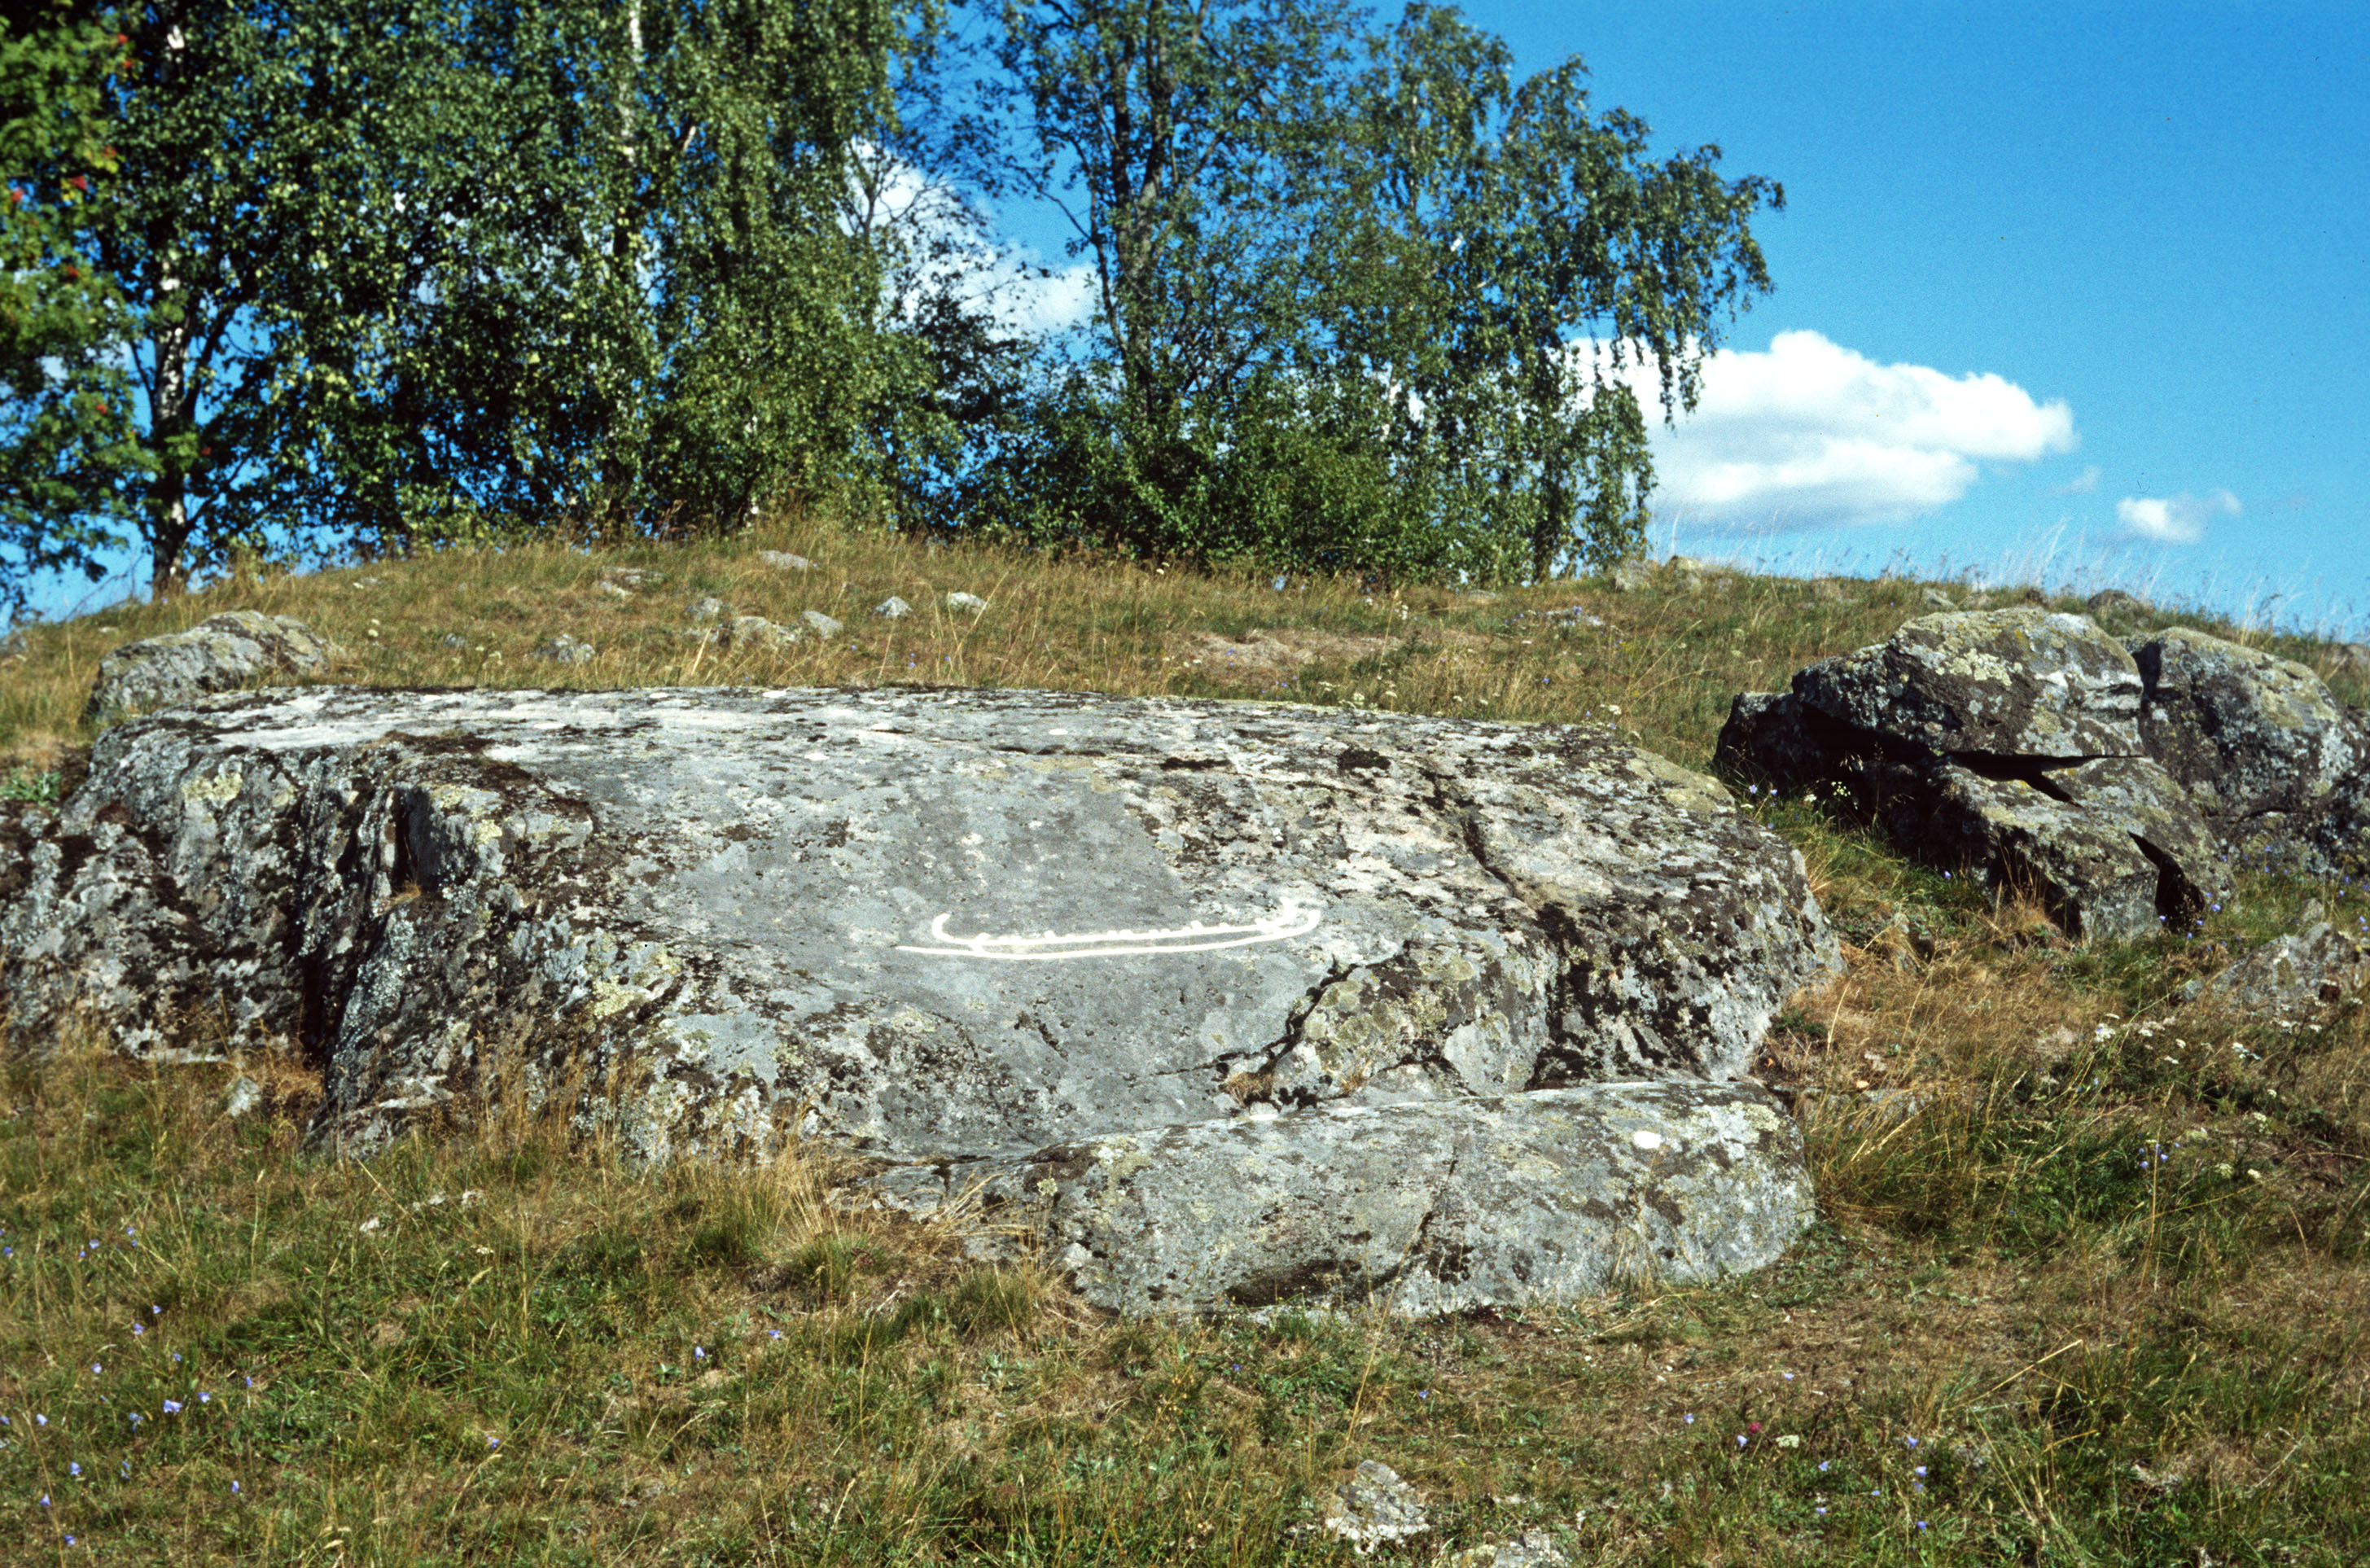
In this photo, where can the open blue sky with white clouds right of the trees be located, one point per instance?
(2148, 224)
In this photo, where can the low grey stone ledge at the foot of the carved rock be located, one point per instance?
(1421, 1207)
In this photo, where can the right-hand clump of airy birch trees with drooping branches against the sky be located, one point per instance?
(1362, 271)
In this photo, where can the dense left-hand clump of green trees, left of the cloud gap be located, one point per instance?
(395, 271)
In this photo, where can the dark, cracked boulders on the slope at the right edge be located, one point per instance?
(2113, 778)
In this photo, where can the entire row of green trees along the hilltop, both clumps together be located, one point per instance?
(359, 276)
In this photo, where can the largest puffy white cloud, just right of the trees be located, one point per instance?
(1812, 435)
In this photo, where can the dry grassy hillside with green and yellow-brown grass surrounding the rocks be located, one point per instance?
(2092, 1280)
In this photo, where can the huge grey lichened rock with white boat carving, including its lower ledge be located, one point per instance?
(1335, 987)
